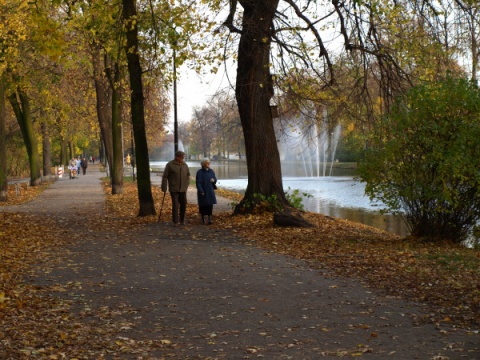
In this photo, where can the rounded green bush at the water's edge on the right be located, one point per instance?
(424, 162)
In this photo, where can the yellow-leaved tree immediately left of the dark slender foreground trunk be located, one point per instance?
(98, 31)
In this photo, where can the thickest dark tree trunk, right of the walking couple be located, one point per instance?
(254, 89)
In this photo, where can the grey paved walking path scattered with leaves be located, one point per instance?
(203, 293)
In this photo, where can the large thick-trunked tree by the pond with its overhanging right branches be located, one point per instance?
(294, 35)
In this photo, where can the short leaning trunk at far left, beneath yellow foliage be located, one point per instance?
(24, 119)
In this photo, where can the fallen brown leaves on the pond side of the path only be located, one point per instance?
(447, 276)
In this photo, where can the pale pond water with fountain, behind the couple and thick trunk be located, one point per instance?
(340, 195)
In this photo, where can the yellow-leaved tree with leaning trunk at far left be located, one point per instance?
(34, 80)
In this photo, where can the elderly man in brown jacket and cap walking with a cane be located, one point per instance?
(177, 176)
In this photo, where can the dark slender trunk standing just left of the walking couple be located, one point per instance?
(145, 197)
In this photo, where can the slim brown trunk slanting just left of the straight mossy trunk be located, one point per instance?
(104, 108)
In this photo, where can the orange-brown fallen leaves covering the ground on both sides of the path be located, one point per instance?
(36, 324)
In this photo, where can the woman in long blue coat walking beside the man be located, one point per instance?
(206, 181)
